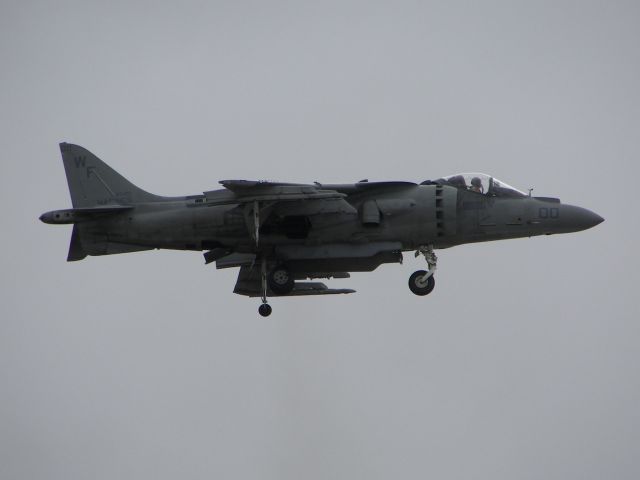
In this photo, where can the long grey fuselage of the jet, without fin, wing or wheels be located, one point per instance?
(409, 215)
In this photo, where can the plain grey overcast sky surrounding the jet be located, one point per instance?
(522, 364)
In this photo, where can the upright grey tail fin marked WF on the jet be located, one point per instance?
(93, 182)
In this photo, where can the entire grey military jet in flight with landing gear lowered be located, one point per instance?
(282, 234)
